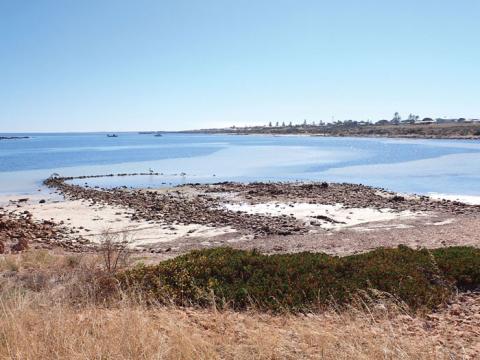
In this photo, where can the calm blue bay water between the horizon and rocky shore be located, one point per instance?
(413, 166)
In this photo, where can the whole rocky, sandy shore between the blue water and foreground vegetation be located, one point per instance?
(337, 219)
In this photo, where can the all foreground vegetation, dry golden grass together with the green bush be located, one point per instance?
(109, 305)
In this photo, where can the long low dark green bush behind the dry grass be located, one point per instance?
(305, 281)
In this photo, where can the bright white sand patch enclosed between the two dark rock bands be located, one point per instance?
(346, 217)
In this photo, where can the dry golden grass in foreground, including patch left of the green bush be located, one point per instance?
(60, 318)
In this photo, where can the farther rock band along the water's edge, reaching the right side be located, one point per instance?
(350, 195)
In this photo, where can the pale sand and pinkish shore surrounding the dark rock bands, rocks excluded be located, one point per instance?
(331, 228)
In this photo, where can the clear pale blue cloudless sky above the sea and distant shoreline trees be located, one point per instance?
(89, 65)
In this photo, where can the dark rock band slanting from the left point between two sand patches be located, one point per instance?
(175, 207)
